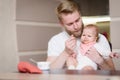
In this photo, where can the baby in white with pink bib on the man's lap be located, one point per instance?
(89, 38)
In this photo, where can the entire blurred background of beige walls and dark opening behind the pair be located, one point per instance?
(27, 25)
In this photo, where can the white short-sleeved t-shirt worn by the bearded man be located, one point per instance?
(56, 45)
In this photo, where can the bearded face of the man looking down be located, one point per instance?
(72, 23)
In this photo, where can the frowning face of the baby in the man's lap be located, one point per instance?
(88, 35)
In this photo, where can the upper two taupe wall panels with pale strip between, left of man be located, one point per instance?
(36, 24)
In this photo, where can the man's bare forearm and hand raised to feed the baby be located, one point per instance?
(59, 61)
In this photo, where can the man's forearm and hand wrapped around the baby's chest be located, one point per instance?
(103, 64)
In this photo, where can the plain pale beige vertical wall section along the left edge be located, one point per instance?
(8, 49)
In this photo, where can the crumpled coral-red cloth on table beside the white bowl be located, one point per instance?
(26, 67)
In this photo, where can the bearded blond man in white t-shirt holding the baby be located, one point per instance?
(64, 44)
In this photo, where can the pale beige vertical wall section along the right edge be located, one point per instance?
(115, 23)
